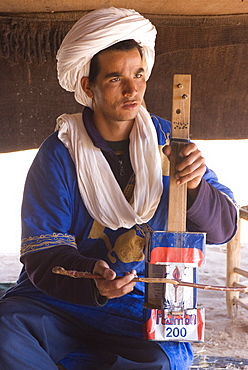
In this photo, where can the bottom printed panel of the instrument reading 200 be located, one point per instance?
(188, 326)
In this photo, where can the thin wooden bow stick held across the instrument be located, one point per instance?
(81, 274)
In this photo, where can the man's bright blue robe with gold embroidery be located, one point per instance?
(54, 214)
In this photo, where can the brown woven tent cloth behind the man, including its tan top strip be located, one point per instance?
(207, 39)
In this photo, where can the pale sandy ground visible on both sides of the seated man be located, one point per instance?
(224, 337)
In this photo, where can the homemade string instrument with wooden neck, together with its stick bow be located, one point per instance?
(172, 256)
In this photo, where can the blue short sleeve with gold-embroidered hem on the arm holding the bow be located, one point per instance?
(47, 206)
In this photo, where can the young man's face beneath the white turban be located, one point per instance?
(119, 86)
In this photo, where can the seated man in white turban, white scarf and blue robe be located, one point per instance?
(95, 184)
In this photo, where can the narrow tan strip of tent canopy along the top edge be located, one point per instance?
(165, 7)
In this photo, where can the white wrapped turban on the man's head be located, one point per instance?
(97, 31)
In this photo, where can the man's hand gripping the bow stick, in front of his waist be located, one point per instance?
(109, 286)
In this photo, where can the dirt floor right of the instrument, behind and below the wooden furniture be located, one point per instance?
(226, 338)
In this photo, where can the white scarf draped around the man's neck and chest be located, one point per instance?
(98, 187)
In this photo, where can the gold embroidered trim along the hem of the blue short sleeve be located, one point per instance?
(34, 243)
